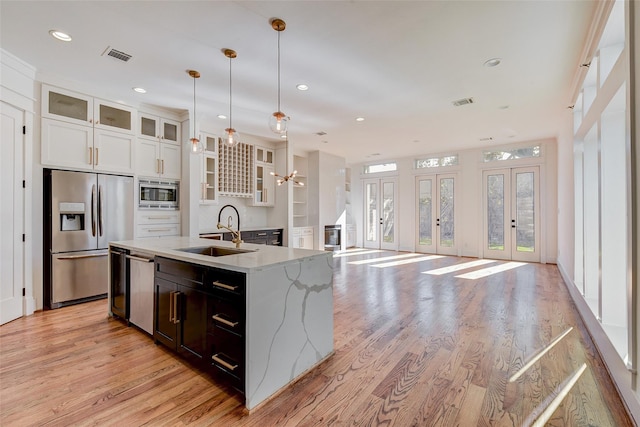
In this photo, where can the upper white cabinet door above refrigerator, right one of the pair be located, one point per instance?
(114, 151)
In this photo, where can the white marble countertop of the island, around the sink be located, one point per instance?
(258, 257)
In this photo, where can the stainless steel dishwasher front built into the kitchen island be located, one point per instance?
(141, 290)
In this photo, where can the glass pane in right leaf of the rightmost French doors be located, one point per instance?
(525, 231)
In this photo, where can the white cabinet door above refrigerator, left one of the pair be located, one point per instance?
(67, 145)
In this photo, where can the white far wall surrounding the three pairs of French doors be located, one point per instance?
(469, 197)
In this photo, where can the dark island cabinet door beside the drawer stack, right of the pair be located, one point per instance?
(193, 322)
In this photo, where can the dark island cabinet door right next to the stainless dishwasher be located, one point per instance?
(165, 330)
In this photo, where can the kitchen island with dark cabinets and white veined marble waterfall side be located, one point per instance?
(261, 317)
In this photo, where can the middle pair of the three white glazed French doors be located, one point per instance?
(435, 214)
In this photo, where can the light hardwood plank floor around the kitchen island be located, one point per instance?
(411, 349)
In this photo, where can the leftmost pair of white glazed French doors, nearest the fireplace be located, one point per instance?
(380, 207)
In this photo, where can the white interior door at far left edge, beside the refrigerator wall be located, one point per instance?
(11, 222)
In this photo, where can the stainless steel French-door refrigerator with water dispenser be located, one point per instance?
(83, 213)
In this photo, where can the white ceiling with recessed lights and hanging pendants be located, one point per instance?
(399, 64)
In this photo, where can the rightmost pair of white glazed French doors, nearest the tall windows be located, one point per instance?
(512, 214)
